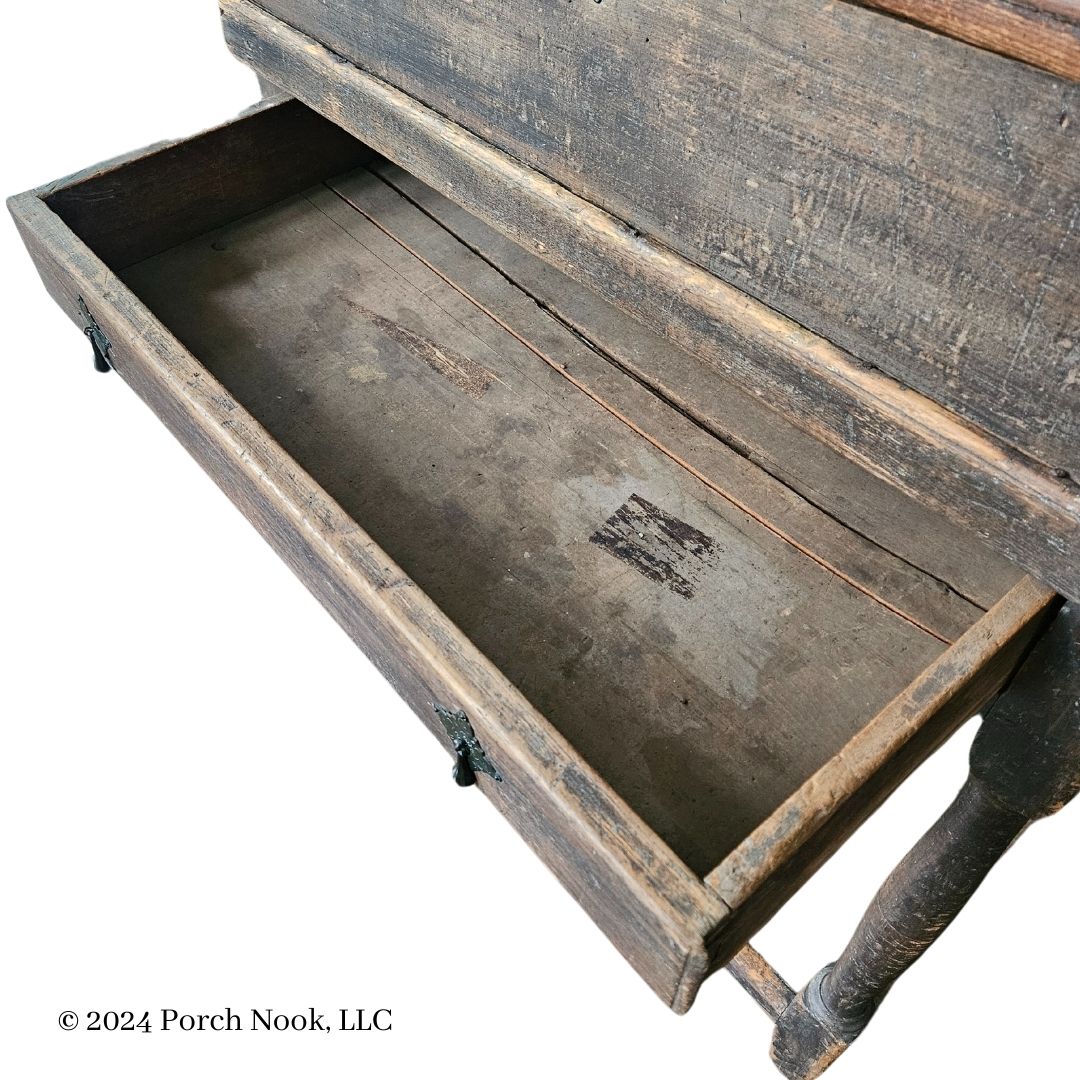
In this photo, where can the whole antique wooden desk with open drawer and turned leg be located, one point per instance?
(680, 403)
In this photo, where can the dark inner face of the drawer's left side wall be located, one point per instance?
(181, 190)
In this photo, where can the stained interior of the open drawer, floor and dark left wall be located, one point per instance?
(704, 601)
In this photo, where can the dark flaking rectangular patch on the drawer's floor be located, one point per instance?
(659, 547)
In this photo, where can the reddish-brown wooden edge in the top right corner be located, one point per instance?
(1043, 33)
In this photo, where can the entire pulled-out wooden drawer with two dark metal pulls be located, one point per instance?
(696, 646)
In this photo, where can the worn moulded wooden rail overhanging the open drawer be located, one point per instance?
(1020, 507)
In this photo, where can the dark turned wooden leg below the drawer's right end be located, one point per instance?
(1025, 765)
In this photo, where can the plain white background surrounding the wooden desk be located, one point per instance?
(193, 815)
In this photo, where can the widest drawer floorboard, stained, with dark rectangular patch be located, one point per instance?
(681, 646)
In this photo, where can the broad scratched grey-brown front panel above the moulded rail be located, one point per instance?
(912, 198)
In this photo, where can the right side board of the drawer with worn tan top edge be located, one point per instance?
(780, 856)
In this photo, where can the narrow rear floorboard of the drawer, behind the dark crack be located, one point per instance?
(826, 480)
